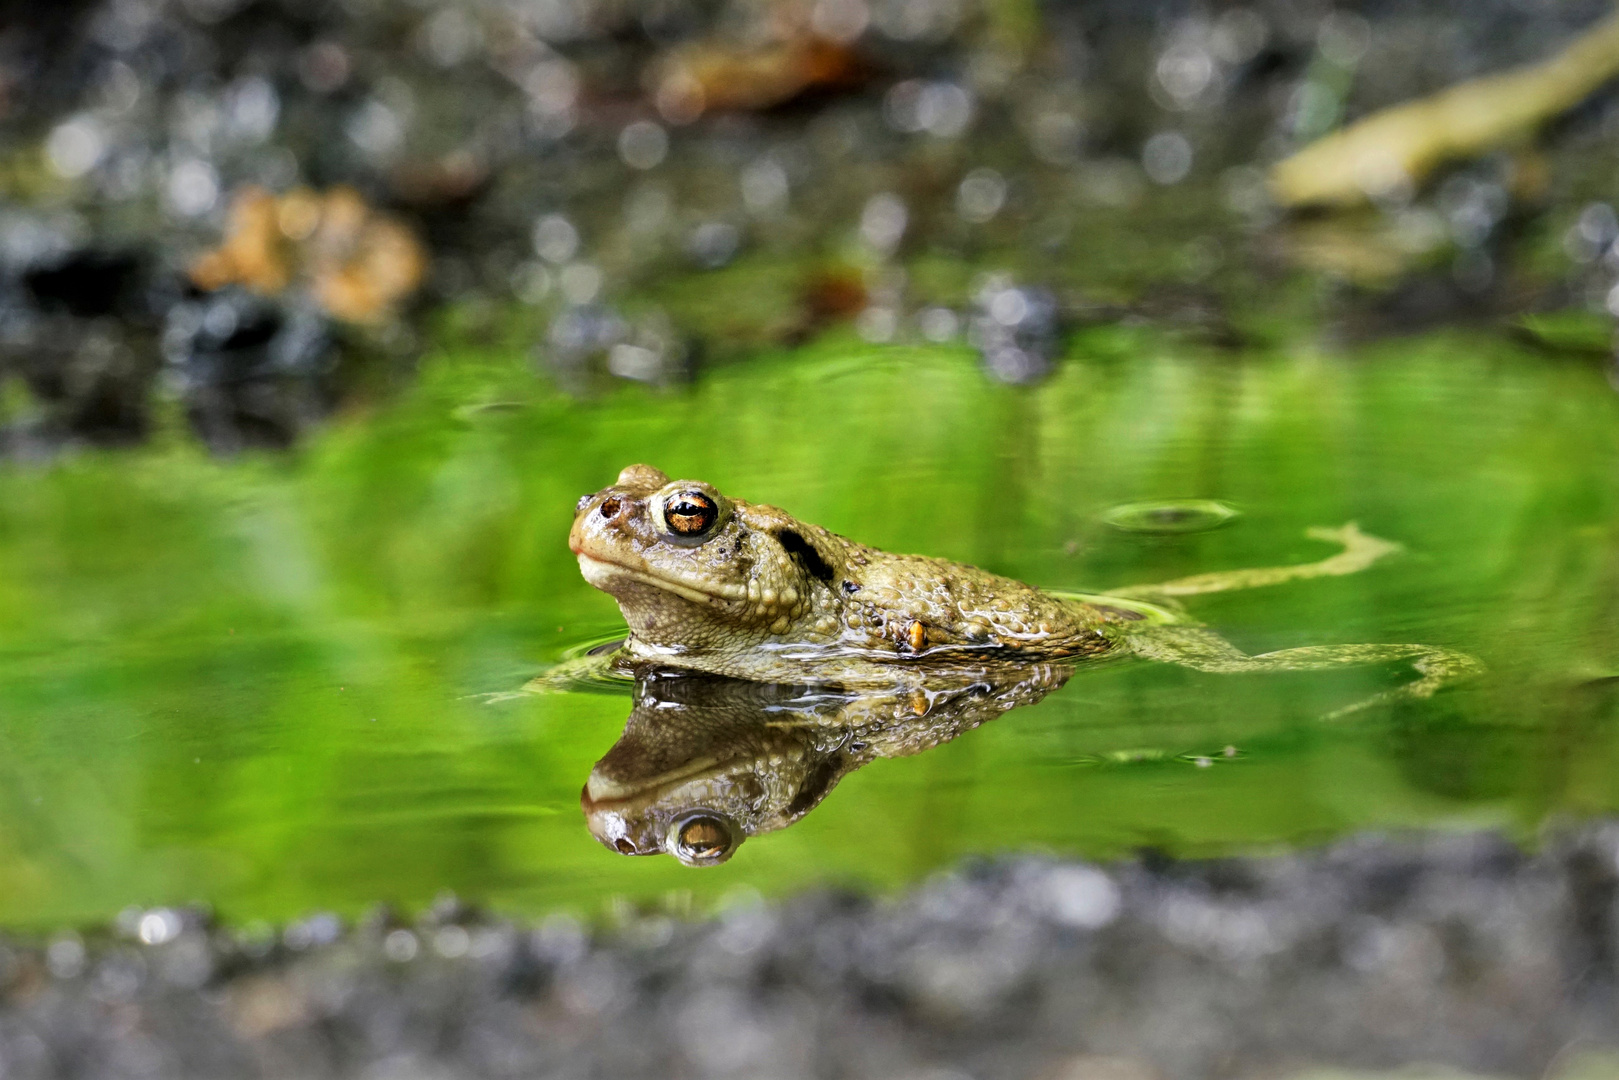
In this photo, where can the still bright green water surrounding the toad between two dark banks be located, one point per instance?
(261, 684)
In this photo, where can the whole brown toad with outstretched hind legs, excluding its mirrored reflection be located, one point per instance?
(726, 587)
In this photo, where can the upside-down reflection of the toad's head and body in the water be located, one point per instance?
(708, 762)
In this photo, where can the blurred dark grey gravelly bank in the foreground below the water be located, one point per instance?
(1456, 951)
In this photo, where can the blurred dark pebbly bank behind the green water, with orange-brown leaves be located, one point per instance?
(250, 215)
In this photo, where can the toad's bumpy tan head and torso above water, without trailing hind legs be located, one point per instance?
(760, 595)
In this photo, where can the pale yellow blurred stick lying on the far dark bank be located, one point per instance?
(1409, 142)
